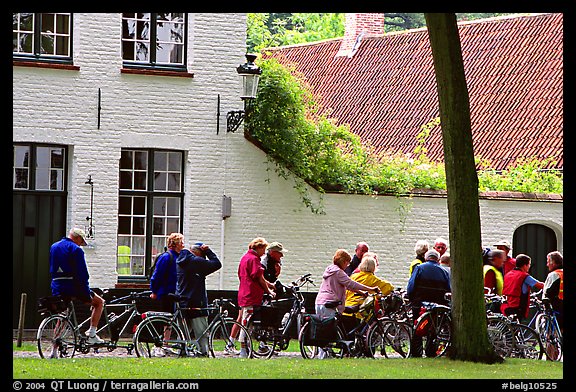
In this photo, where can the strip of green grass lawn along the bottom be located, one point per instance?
(279, 368)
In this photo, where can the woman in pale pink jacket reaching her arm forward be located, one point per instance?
(335, 282)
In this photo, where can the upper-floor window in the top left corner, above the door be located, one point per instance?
(42, 35)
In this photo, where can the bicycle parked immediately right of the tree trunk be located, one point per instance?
(511, 338)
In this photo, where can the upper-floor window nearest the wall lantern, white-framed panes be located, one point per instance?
(154, 39)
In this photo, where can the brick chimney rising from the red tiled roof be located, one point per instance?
(359, 26)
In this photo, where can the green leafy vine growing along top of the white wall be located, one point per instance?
(285, 121)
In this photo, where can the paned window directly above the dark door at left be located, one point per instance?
(38, 167)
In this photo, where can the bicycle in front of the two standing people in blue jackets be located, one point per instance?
(165, 334)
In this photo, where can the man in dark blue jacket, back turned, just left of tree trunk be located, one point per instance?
(428, 282)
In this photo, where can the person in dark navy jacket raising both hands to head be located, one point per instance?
(192, 267)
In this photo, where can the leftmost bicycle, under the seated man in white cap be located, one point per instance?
(59, 333)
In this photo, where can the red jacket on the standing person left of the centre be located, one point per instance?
(250, 292)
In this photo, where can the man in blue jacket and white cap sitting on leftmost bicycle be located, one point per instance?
(70, 277)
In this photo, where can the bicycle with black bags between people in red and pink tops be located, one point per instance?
(270, 325)
